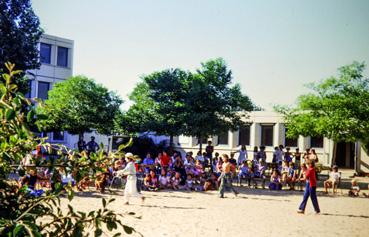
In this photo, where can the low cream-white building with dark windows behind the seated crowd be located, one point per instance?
(267, 128)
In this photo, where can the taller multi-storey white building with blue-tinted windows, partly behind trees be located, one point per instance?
(56, 57)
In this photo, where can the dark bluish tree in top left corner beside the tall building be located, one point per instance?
(20, 33)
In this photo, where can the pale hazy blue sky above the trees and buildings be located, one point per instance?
(273, 47)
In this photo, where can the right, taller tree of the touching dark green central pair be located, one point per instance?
(213, 105)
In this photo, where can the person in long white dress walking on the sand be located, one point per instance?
(131, 186)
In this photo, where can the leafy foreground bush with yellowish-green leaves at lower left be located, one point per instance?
(24, 215)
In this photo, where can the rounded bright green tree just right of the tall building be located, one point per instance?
(78, 105)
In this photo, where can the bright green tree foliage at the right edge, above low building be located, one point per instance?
(338, 108)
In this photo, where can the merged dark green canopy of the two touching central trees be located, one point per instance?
(174, 102)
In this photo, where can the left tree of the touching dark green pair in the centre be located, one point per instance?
(159, 104)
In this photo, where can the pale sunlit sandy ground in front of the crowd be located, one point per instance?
(252, 213)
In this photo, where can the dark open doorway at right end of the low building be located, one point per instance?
(345, 155)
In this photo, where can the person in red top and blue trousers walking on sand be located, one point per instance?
(310, 190)
